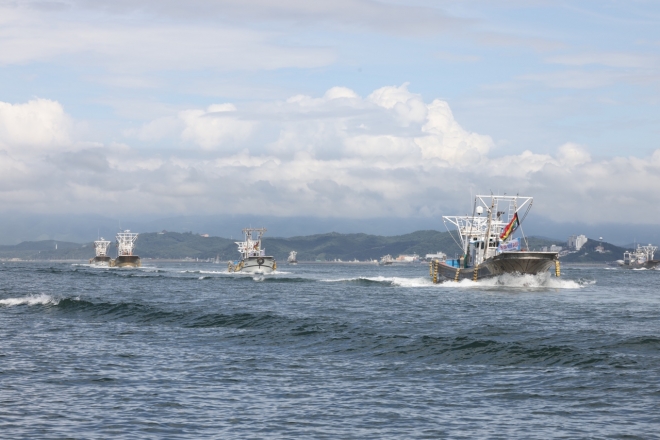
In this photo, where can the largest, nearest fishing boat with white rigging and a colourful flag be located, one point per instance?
(487, 243)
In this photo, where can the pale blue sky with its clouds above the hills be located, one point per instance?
(351, 109)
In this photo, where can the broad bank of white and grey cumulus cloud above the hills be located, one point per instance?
(389, 154)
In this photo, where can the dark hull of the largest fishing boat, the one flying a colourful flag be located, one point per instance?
(521, 263)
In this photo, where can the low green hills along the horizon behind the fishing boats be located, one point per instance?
(175, 245)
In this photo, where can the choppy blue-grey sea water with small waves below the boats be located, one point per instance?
(326, 351)
